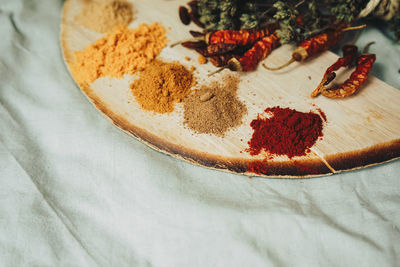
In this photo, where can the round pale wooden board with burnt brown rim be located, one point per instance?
(360, 131)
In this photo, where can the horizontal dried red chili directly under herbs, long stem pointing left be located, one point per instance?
(241, 37)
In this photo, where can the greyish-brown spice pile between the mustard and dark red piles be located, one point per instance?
(214, 108)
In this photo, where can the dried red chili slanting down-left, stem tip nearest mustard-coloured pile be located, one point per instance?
(249, 61)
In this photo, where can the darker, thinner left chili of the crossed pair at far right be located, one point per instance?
(349, 55)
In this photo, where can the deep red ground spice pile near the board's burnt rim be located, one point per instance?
(284, 131)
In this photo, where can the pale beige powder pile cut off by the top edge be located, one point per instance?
(102, 16)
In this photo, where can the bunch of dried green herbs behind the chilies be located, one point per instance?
(299, 19)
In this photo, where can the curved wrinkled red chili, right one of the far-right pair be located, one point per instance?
(357, 78)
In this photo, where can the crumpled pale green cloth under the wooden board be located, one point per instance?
(77, 191)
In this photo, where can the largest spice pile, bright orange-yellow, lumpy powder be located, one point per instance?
(122, 51)
